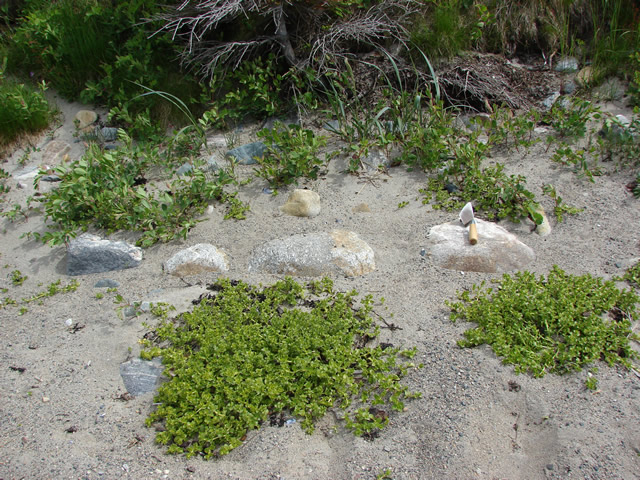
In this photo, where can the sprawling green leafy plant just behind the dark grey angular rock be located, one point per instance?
(107, 189)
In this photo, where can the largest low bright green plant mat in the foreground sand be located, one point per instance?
(247, 353)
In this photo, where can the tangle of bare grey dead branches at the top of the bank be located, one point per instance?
(330, 36)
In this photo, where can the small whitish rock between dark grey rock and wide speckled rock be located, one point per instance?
(200, 258)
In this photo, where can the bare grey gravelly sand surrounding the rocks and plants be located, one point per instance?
(64, 416)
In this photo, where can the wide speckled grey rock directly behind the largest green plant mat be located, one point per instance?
(338, 252)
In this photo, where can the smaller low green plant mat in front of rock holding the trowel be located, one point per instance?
(550, 325)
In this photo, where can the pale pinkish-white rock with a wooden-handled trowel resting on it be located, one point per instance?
(497, 250)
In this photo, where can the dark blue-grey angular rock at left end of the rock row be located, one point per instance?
(91, 254)
